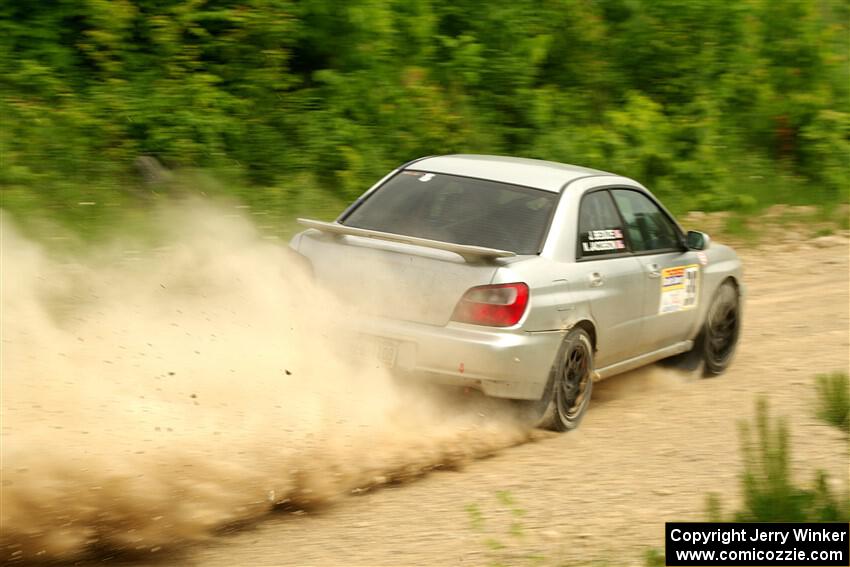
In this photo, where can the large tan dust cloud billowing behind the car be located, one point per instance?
(154, 393)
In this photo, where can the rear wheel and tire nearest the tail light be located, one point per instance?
(570, 386)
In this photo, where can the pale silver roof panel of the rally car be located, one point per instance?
(547, 175)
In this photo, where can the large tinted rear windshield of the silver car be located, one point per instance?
(460, 210)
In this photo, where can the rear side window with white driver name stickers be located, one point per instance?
(599, 226)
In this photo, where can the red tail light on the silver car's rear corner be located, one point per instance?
(500, 305)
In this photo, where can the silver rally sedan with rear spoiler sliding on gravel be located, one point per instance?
(524, 279)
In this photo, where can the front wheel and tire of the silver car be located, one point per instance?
(718, 338)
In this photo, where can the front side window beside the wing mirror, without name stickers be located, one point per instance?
(648, 227)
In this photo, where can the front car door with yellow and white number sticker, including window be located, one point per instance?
(672, 274)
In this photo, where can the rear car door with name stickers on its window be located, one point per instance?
(611, 277)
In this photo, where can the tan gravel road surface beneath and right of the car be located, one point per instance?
(654, 443)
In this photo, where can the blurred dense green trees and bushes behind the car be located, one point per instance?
(713, 105)
